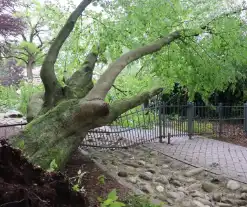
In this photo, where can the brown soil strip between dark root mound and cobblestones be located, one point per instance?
(93, 187)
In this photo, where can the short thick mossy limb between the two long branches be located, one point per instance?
(80, 83)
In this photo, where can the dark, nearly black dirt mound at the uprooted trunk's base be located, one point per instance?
(22, 184)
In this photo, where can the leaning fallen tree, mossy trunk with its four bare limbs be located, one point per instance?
(62, 116)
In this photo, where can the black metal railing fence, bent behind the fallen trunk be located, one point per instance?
(162, 122)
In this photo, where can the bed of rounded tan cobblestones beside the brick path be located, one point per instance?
(169, 180)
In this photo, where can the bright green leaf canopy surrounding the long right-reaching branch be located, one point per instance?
(209, 55)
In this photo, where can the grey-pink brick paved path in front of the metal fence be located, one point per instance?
(216, 156)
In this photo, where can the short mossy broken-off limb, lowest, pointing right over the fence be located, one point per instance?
(121, 106)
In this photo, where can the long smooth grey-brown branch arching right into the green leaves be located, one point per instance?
(107, 79)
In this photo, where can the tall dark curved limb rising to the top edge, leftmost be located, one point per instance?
(47, 72)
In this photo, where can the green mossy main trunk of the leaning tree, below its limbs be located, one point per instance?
(52, 136)
